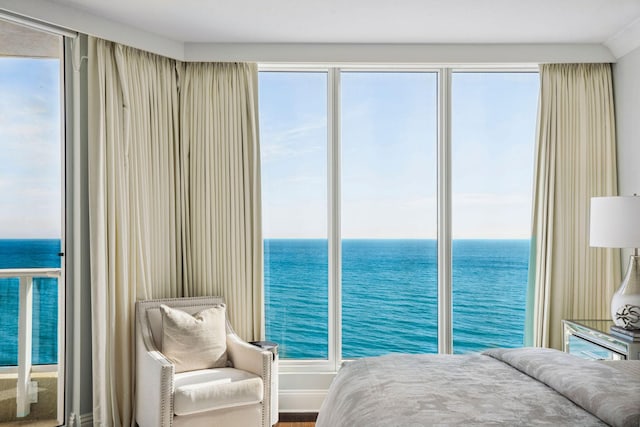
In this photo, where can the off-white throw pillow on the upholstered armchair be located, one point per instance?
(194, 342)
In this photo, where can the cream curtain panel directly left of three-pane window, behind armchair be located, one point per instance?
(221, 180)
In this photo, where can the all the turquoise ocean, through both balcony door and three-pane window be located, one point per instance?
(389, 296)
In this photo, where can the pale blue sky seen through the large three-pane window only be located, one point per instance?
(389, 153)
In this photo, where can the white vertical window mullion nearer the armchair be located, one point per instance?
(335, 255)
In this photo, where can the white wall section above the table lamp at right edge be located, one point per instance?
(626, 88)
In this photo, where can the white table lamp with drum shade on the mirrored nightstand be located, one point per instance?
(615, 223)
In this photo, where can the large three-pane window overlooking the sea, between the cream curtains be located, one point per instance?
(350, 163)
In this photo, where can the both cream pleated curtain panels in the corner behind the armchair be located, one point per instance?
(174, 201)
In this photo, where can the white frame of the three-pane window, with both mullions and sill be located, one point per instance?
(444, 199)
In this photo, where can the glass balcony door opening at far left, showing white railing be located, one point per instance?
(31, 233)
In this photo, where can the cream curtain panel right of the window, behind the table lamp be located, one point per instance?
(575, 160)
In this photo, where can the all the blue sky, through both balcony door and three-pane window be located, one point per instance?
(389, 137)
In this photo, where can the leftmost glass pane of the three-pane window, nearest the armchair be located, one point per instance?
(293, 108)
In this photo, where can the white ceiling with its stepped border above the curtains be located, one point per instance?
(463, 32)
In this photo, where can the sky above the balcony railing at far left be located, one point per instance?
(30, 148)
